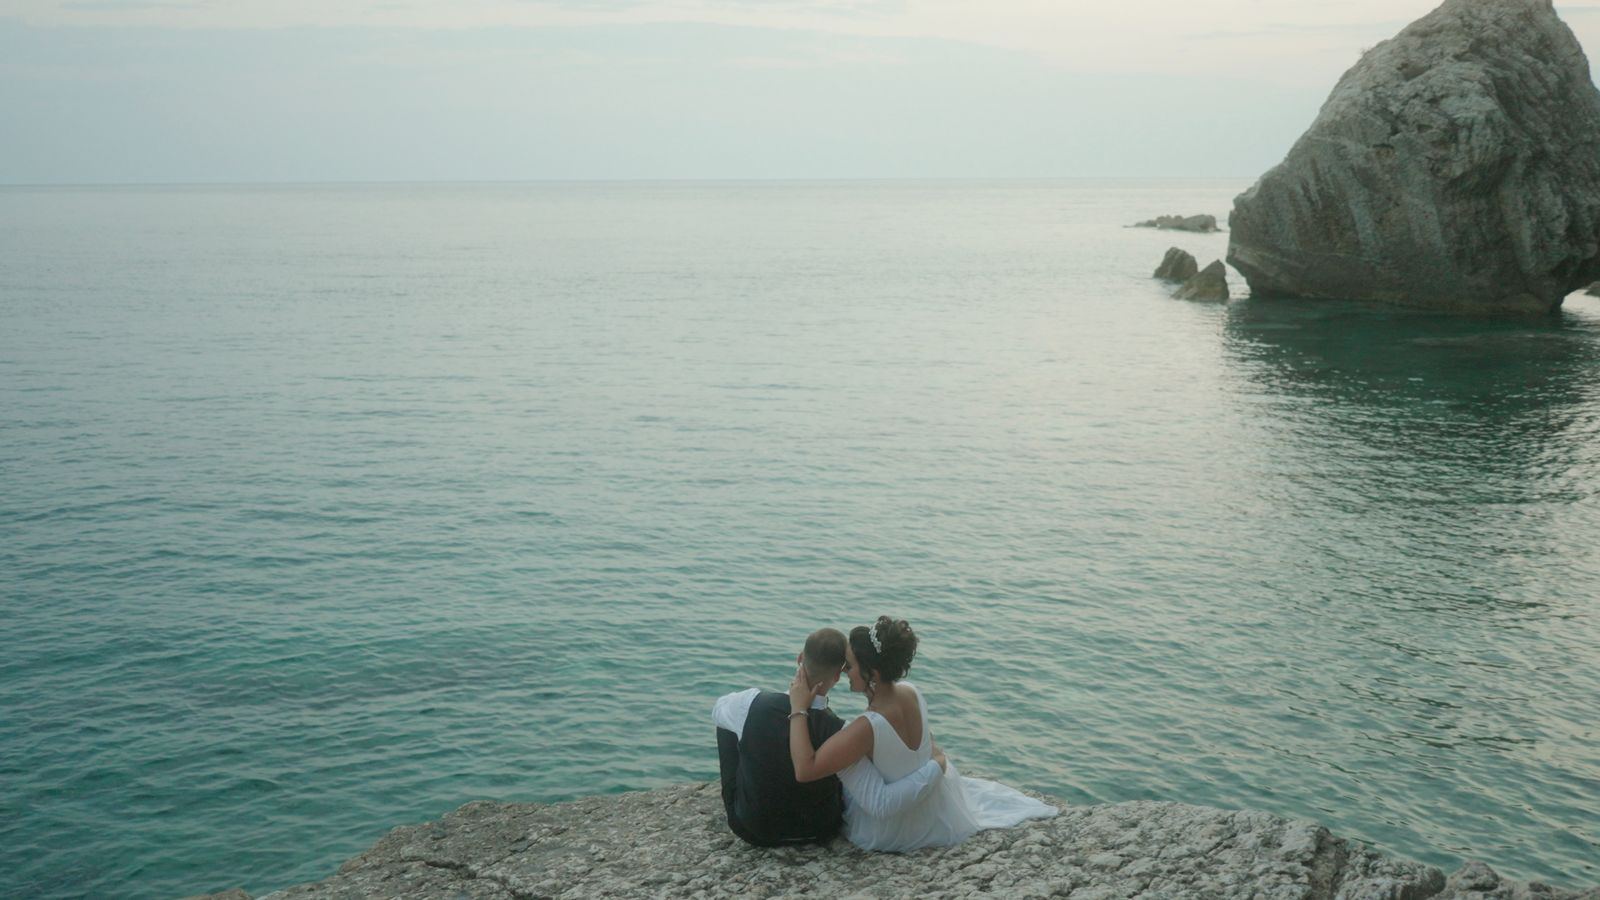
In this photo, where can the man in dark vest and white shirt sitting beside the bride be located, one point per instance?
(766, 805)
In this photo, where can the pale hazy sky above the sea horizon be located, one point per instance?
(519, 90)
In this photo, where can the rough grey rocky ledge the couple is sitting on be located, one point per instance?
(674, 843)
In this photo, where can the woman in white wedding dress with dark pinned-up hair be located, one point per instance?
(894, 736)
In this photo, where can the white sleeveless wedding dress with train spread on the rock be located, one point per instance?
(950, 814)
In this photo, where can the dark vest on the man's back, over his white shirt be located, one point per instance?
(766, 805)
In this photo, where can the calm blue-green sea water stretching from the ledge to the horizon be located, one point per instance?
(326, 510)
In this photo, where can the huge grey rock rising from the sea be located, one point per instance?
(1455, 167)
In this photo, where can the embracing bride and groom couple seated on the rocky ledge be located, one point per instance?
(794, 773)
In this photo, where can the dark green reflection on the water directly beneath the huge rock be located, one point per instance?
(1503, 395)
